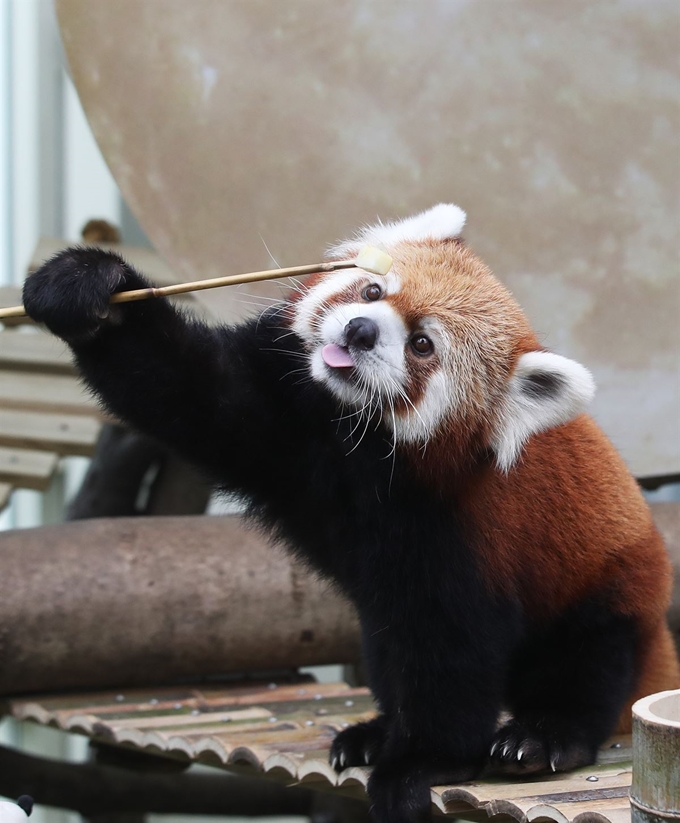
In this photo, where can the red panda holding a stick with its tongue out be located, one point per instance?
(409, 437)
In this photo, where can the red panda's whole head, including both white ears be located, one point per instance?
(437, 345)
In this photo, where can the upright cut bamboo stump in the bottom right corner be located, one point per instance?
(655, 793)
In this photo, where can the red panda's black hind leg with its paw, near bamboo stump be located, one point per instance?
(567, 690)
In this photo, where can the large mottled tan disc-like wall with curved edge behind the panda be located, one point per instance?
(554, 124)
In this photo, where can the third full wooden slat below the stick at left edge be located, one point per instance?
(61, 433)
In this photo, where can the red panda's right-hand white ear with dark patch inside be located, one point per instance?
(544, 391)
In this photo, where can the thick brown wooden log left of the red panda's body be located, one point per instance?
(146, 600)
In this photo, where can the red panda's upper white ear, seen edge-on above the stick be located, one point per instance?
(442, 222)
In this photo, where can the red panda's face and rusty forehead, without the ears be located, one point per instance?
(427, 344)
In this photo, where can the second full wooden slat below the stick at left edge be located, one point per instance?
(44, 392)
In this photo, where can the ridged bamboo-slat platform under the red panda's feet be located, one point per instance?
(284, 731)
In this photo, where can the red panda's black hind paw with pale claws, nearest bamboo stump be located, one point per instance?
(521, 749)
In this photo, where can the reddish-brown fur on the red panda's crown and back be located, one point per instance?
(569, 520)
